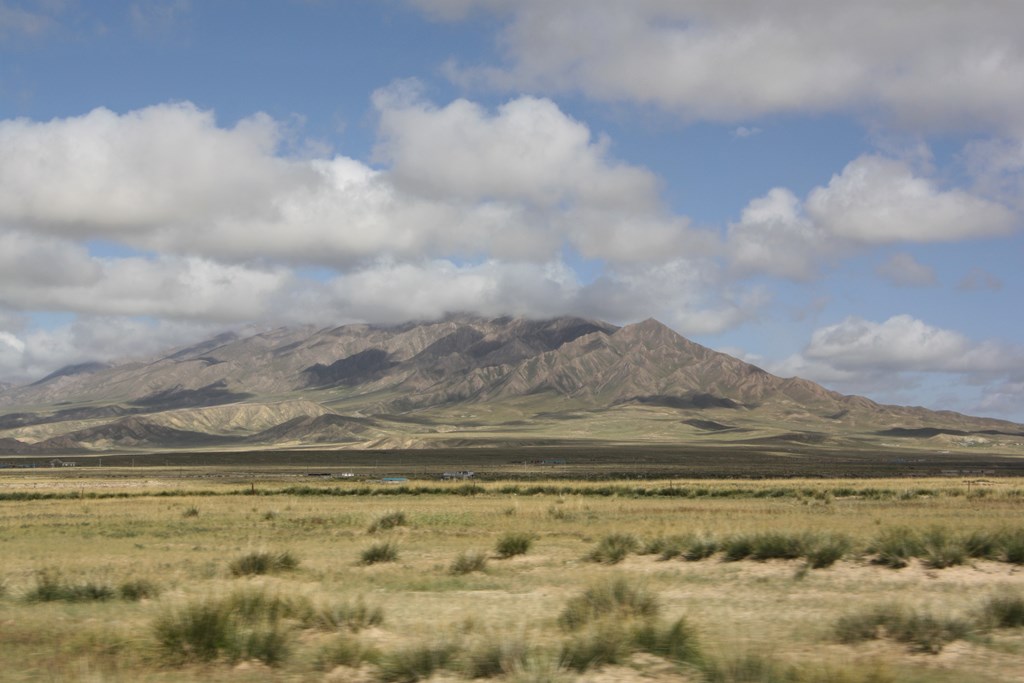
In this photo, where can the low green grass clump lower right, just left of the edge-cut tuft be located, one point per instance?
(923, 632)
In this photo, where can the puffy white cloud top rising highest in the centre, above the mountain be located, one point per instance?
(527, 151)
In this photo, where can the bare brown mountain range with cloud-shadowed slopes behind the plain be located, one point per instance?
(462, 380)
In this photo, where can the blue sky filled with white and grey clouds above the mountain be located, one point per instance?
(826, 189)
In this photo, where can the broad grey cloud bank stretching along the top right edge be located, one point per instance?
(961, 66)
